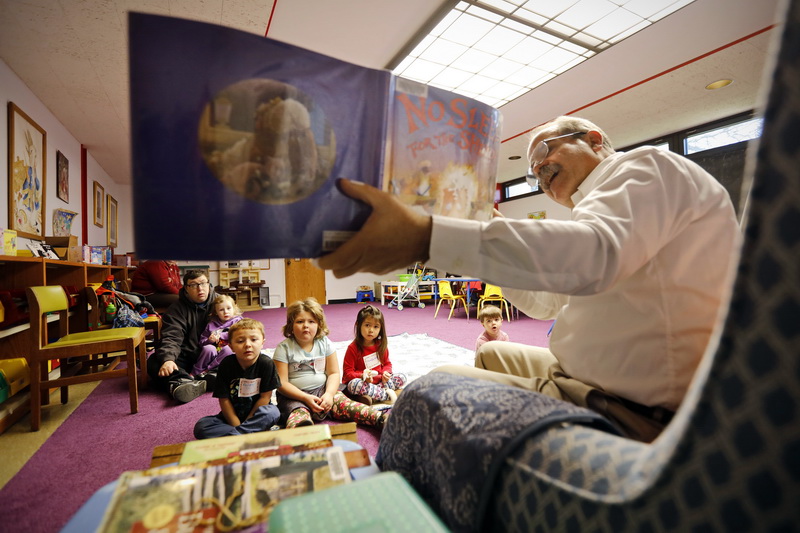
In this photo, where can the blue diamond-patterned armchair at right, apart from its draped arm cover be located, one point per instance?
(730, 460)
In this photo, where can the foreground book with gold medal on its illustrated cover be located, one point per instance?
(219, 498)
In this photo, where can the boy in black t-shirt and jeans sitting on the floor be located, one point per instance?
(244, 386)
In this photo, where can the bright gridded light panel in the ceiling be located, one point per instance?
(496, 50)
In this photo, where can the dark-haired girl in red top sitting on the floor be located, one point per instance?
(367, 370)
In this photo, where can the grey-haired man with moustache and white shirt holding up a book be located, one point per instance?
(636, 278)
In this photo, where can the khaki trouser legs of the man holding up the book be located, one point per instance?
(514, 364)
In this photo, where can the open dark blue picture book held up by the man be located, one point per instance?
(238, 141)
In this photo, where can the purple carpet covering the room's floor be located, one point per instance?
(101, 439)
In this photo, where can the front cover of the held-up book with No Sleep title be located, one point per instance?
(441, 151)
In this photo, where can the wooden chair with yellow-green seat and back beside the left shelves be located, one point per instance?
(74, 351)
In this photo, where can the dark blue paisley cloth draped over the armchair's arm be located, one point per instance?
(449, 435)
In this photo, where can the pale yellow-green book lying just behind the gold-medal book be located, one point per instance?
(200, 451)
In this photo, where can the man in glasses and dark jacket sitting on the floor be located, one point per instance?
(170, 366)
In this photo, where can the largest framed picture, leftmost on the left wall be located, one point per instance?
(27, 174)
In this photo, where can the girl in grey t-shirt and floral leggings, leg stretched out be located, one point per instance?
(309, 371)
